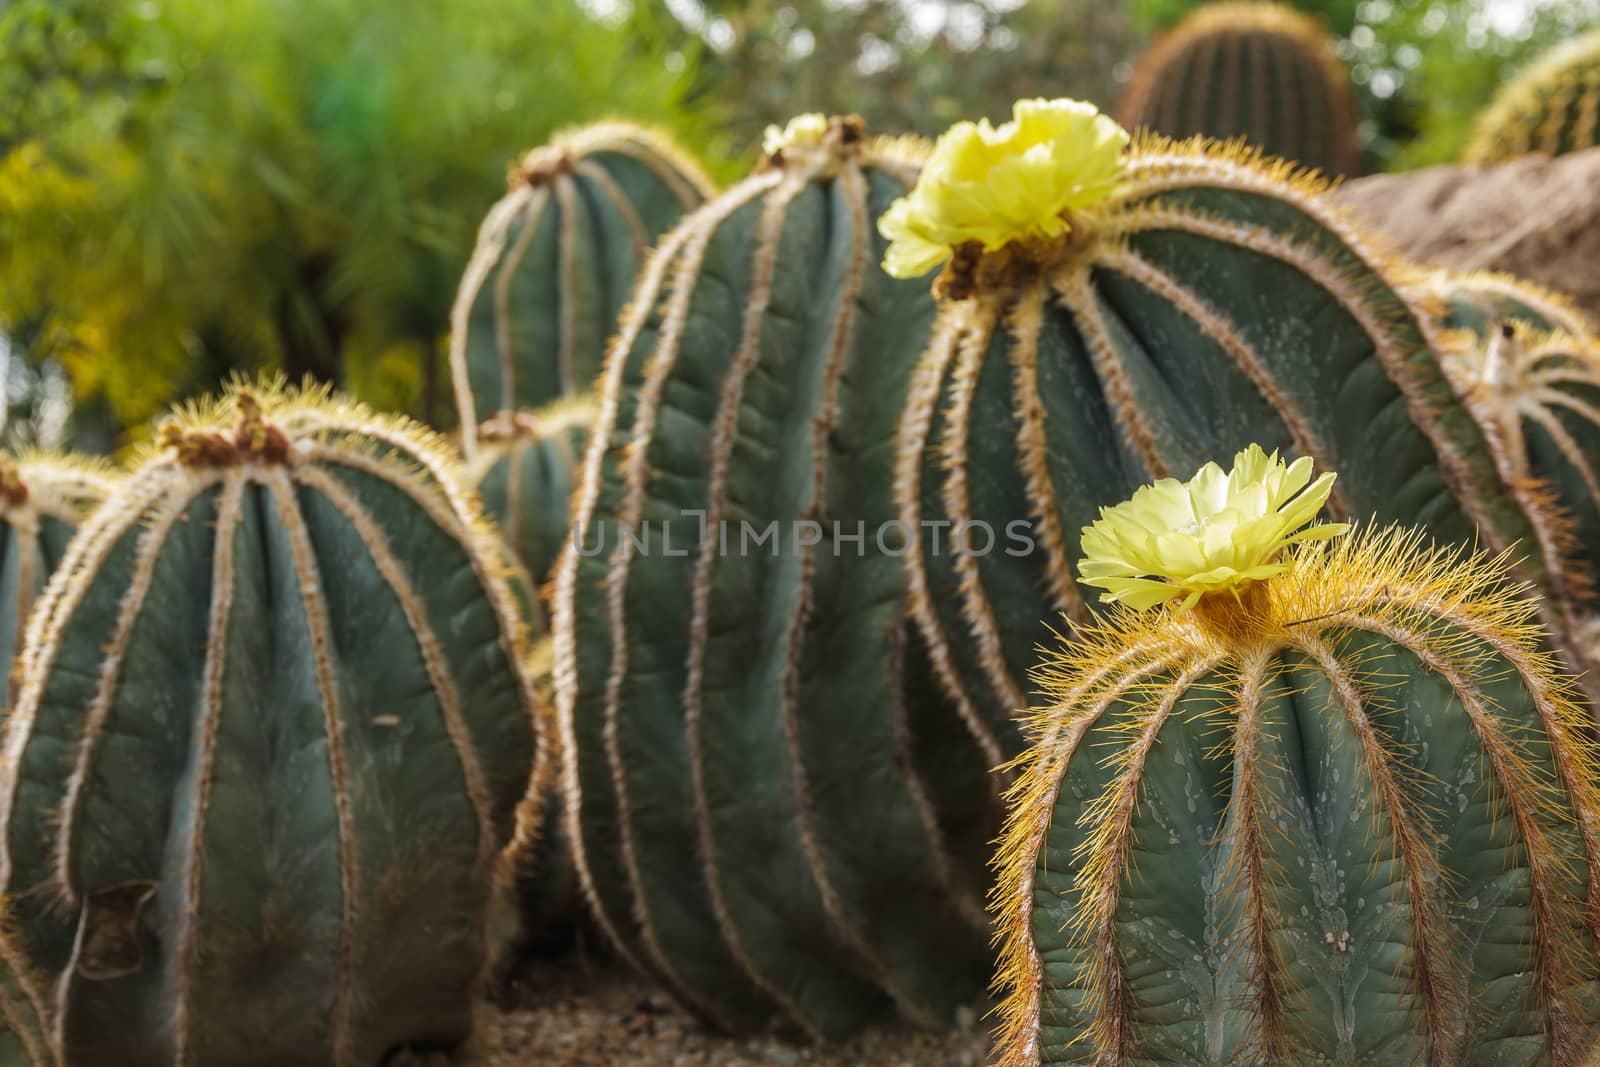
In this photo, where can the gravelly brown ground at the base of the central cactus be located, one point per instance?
(583, 1013)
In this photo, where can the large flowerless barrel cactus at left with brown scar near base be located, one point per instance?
(270, 753)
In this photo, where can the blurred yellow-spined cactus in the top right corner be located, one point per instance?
(1550, 110)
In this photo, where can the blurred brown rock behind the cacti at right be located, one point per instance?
(1537, 218)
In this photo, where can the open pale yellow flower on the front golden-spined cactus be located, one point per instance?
(1214, 533)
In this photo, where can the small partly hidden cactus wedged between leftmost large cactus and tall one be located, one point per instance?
(526, 471)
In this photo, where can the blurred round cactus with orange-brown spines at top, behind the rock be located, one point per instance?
(1255, 71)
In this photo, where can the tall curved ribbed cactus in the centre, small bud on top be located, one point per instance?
(754, 804)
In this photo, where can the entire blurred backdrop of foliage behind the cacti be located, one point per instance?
(193, 188)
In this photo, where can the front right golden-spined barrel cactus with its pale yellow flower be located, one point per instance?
(1303, 797)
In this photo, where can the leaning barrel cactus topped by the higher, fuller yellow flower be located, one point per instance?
(1114, 316)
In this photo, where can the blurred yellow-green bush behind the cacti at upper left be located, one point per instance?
(193, 188)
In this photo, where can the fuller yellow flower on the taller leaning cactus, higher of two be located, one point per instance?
(996, 185)
